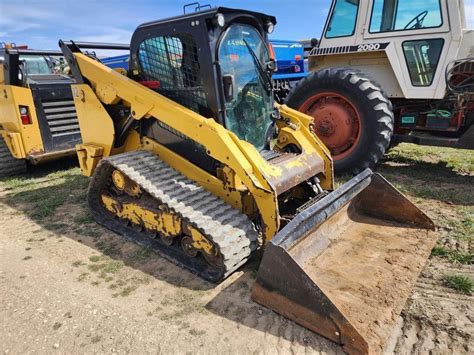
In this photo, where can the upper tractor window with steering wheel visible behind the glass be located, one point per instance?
(404, 15)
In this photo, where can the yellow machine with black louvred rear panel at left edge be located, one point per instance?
(38, 121)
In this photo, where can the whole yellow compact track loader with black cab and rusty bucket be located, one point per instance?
(189, 154)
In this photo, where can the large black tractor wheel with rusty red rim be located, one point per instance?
(352, 116)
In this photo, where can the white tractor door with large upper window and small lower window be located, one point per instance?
(419, 42)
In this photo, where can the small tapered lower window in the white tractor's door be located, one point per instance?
(422, 59)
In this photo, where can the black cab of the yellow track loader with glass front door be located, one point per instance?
(214, 62)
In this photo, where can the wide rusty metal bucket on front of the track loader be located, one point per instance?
(345, 266)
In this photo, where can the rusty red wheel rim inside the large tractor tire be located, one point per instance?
(336, 121)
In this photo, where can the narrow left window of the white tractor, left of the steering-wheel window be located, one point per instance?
(343, 19)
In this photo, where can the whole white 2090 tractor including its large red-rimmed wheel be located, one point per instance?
(389, 71)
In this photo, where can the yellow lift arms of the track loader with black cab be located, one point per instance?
(221, 144)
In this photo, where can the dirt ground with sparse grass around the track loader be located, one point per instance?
(69, 286)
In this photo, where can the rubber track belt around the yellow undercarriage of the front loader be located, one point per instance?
(225, 226)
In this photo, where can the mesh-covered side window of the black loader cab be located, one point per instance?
(172, 62)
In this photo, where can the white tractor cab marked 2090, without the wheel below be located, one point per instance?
(407, 43)
